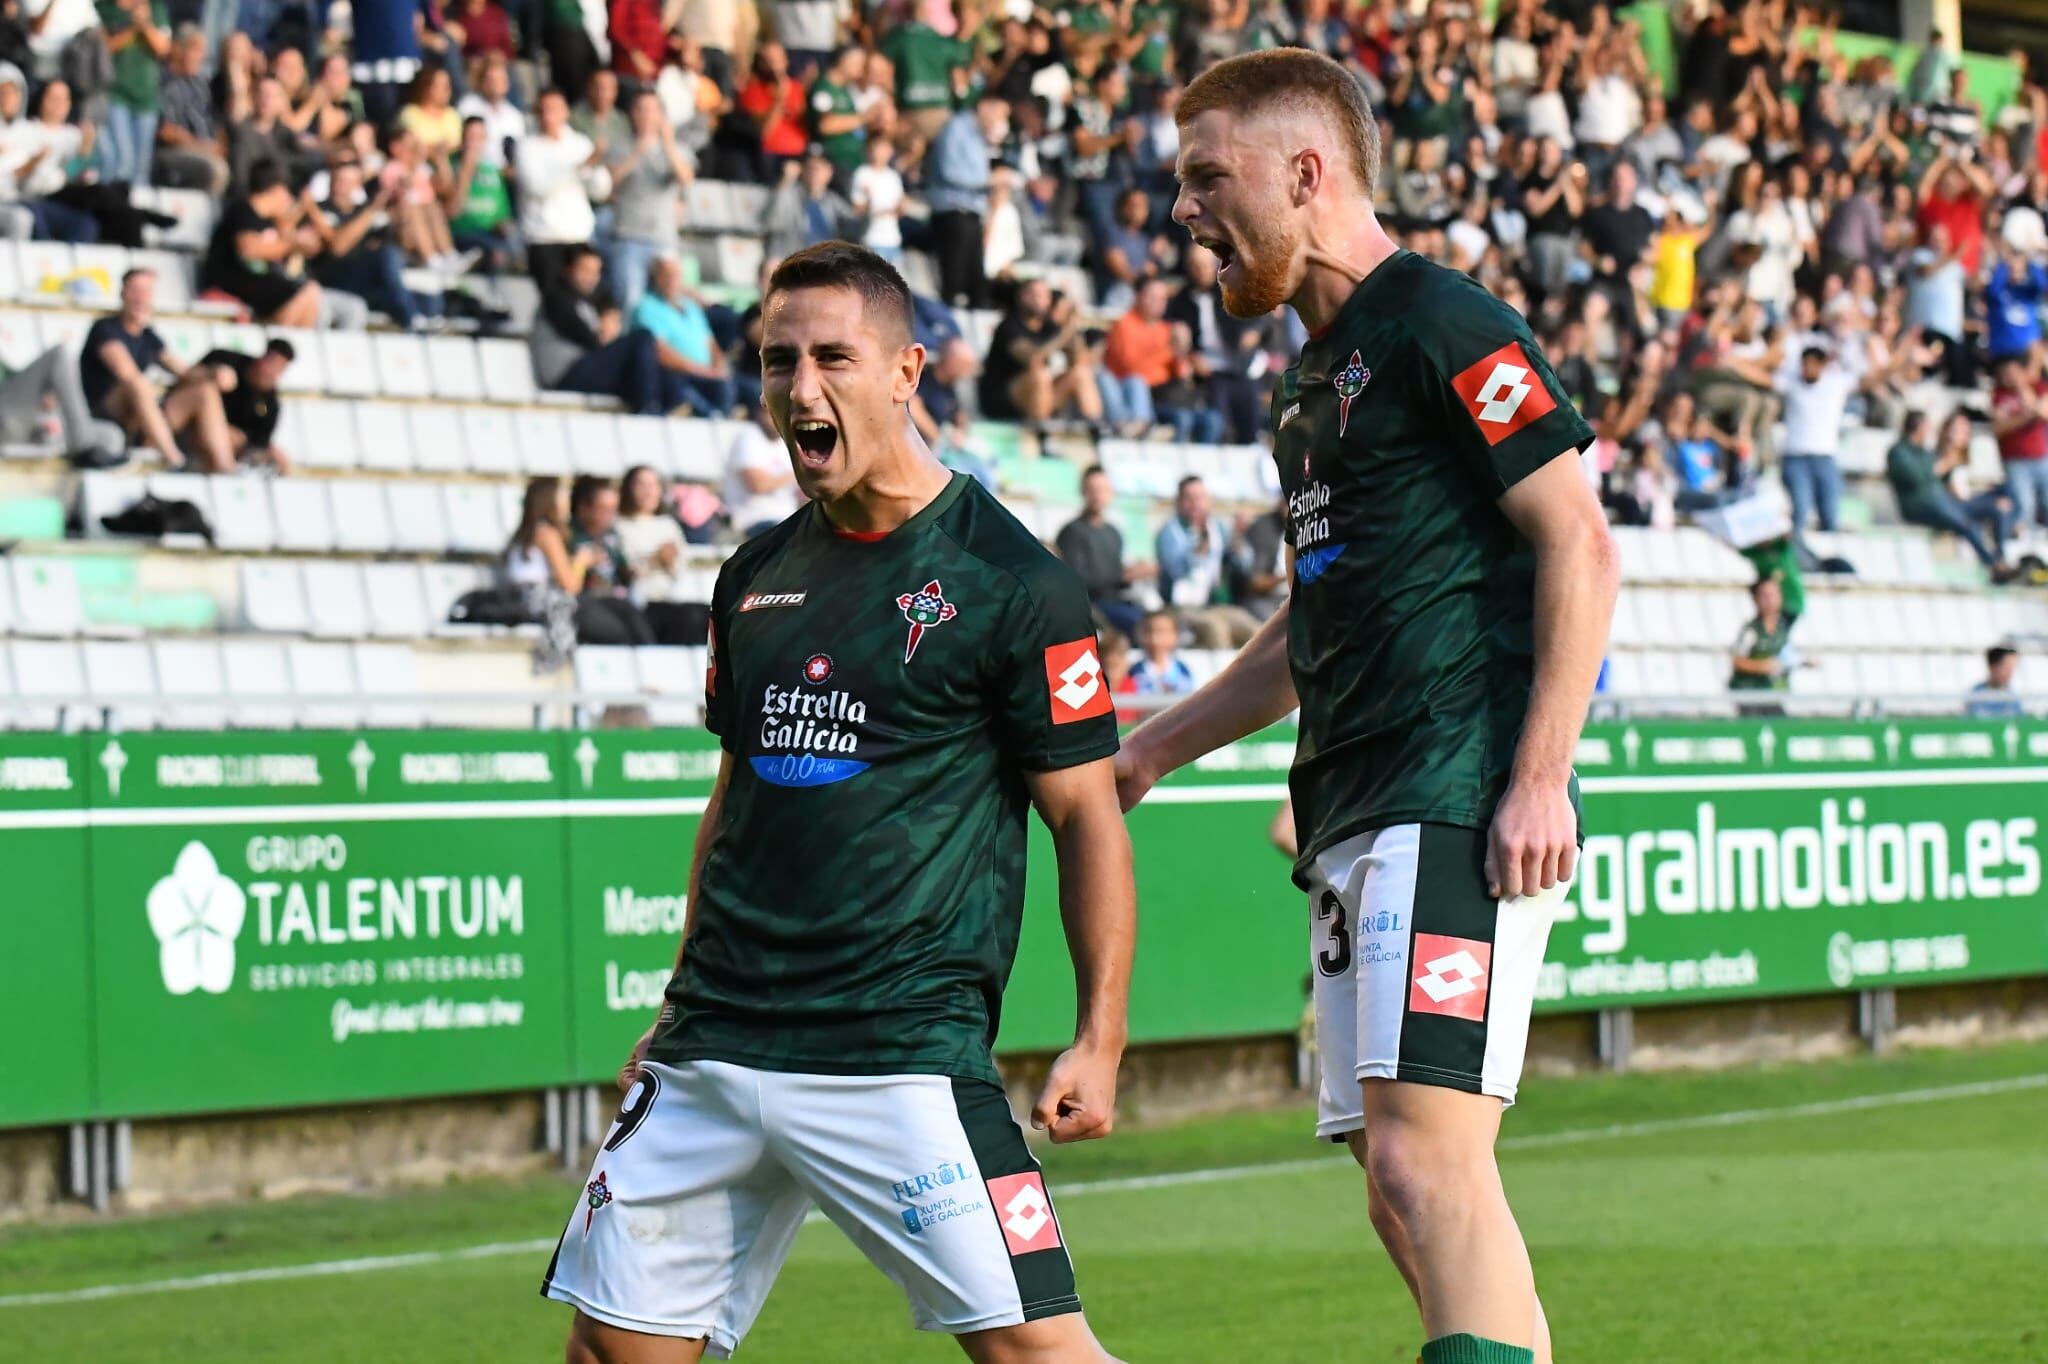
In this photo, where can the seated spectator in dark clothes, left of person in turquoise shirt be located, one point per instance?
(581, 345)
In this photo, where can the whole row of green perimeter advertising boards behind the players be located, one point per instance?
(206, 923)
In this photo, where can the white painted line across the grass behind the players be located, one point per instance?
(1736, 1117)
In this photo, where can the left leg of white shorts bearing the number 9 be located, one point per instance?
(685, 1218)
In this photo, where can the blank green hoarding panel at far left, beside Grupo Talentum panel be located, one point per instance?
(46, 947)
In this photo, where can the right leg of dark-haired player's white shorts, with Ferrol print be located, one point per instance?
(933, 1181)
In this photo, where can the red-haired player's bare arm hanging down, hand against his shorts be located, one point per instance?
(1533, 843)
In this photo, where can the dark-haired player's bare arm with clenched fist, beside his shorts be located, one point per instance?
(1099, 910)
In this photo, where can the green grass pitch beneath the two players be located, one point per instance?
(1908, 1230)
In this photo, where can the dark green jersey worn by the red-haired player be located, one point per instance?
(1412, 620)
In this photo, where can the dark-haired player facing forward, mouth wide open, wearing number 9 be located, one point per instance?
(900, 671)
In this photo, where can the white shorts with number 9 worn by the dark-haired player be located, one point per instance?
(710, 1168)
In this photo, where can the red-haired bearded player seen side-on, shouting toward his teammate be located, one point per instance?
(1449, 613)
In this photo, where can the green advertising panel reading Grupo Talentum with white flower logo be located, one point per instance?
(316, 919)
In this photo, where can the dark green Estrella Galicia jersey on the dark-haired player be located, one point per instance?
(882, 701)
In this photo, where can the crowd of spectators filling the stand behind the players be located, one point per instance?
(1723, 271)
